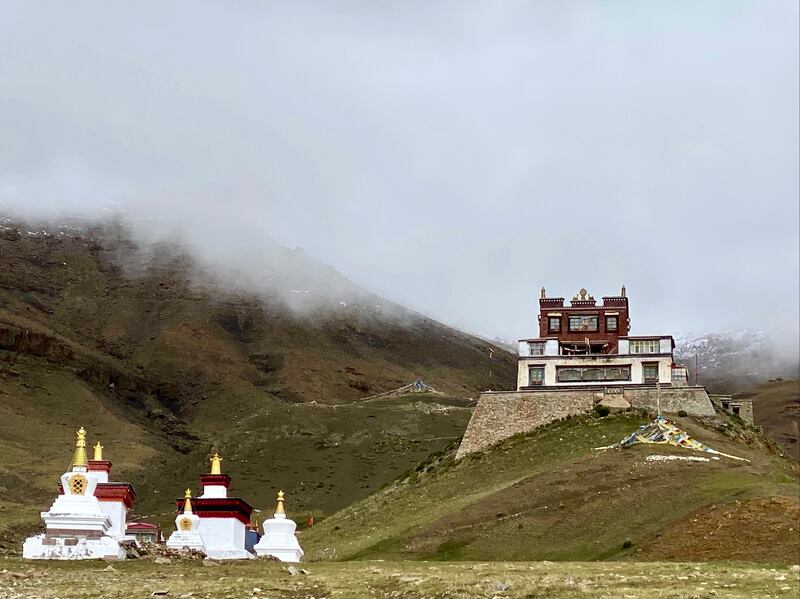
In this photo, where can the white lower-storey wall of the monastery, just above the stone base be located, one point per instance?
(635, 362)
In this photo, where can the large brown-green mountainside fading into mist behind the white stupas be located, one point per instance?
(163, 363)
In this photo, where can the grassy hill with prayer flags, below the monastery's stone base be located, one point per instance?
(550, 495)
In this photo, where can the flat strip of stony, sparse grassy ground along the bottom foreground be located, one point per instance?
(353, 580)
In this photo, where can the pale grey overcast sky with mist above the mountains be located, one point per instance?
(452, 156)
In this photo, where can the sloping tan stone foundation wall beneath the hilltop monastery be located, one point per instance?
(500, 415)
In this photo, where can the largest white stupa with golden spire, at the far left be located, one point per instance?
(76, 527)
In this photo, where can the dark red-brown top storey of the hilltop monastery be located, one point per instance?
(584, 322)
